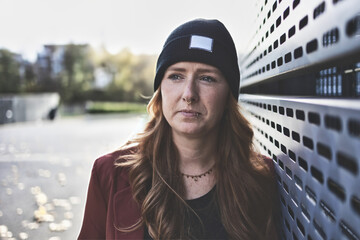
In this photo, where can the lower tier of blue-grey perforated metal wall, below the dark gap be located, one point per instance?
(315, 149)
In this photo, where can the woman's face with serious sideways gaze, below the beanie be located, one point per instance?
(194, 96)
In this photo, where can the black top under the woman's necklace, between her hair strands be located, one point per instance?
(207, 210)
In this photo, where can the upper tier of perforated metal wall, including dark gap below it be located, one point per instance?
(318, 36)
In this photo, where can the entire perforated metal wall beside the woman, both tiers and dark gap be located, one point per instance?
(300, 89)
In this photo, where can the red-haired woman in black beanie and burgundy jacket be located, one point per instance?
(193, 172)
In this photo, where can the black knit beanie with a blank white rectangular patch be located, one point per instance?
(204, 41)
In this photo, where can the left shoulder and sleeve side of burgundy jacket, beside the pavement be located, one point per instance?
(109, 202)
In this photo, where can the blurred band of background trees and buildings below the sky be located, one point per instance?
(70, 70)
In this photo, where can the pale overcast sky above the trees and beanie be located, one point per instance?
(140, 25)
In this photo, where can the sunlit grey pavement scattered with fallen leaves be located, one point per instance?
(45, 169)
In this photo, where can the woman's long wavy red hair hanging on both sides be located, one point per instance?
(244, 188)
